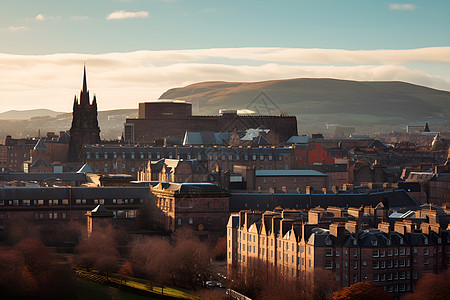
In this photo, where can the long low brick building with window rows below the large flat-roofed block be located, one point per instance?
(129, 159)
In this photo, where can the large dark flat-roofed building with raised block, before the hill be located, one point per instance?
(172, 118)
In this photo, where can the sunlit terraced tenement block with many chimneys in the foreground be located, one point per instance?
(343, 251)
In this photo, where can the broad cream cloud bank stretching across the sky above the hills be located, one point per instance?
(53, 80)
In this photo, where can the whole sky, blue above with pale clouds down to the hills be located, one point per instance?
(134, 50)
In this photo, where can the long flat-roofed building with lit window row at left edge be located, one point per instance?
(52, 209)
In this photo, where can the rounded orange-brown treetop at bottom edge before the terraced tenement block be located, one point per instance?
(361, 291)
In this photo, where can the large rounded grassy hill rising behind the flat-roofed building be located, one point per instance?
(369, 106)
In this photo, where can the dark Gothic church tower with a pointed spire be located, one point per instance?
(84, 128)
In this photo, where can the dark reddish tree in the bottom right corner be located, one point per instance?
(432, 287)
